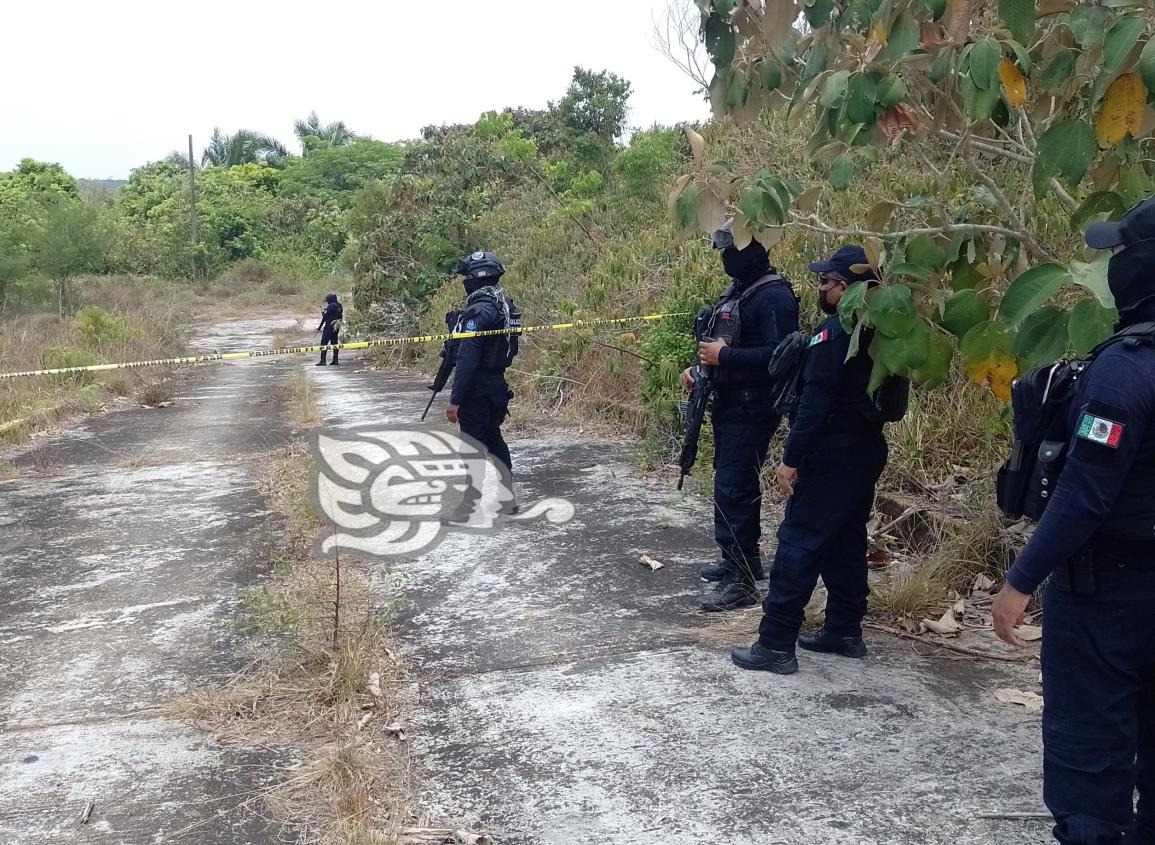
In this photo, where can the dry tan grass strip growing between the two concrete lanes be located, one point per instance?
(329, 687)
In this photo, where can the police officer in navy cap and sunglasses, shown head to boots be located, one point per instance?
(833, 459)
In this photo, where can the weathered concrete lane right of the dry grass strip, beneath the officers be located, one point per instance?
(568, 694)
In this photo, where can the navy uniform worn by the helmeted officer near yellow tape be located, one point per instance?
(480, 387)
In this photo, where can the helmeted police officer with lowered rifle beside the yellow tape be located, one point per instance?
(480, 401)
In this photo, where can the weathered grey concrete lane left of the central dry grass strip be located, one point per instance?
(124, 547)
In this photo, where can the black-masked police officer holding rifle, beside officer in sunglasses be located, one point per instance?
(756, 312)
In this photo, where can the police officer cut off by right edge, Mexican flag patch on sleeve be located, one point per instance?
(1098, 536)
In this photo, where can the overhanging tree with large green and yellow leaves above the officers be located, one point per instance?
(1025, 123)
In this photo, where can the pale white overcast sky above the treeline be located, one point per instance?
(105, 87)
